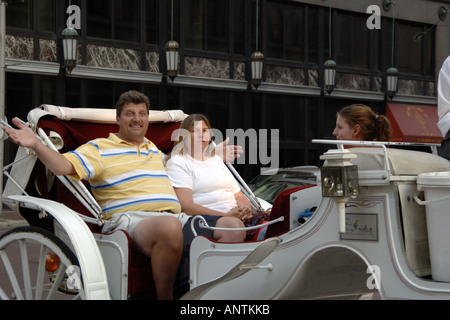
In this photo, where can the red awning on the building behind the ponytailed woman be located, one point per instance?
(414, 123)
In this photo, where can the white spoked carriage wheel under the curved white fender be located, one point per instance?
(48, 266)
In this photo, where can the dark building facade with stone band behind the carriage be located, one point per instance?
(122, 46)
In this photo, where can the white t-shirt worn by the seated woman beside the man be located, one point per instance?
(212, 184)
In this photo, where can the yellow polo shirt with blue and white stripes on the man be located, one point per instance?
(125, 177)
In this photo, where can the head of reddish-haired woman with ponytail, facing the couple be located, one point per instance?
(358, 122)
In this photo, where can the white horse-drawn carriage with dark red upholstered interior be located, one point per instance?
(380, 227)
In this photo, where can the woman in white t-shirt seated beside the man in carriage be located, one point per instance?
(202, 182)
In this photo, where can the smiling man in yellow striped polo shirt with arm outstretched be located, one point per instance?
(128, 179)
